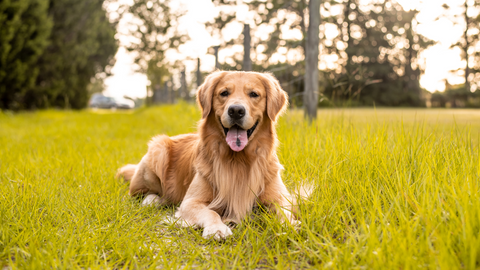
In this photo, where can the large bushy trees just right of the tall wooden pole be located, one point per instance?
(378, 54)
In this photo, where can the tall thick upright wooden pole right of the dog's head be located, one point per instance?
(310, 96)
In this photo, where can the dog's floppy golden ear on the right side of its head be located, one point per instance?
(277, 98)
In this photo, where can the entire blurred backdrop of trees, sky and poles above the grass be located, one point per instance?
(129, 53)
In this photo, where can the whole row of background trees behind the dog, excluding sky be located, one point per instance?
(55, 52)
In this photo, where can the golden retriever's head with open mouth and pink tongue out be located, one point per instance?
(240, 102)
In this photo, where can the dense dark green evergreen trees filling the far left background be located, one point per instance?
(57, 46)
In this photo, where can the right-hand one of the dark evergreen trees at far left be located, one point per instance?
(82, 44)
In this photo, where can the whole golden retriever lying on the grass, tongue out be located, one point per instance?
(220, 173)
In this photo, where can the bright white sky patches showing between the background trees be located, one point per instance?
(438, 59)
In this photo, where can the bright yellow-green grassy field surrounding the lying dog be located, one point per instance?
(394, 189)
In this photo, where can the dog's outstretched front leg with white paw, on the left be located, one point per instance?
(194, 210)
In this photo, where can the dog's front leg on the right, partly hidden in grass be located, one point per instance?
(278, 199)
